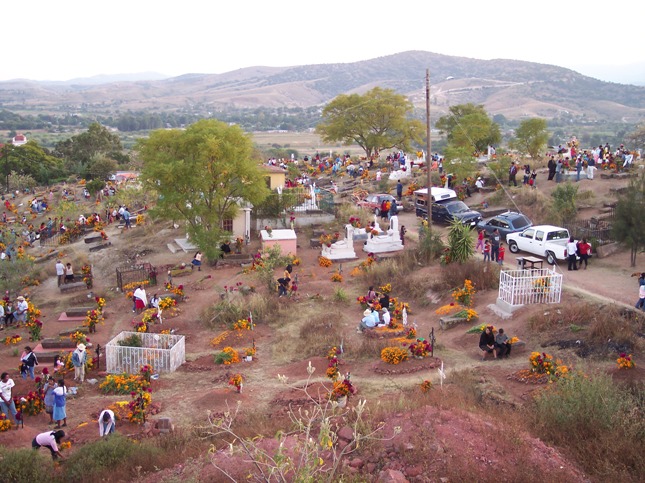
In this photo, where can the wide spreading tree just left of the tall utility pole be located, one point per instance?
(378, 120)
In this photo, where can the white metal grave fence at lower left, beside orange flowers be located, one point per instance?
(165, 352)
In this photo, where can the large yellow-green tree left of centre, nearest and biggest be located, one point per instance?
(201, 174)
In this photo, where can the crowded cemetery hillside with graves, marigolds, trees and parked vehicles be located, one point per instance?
(204, 303)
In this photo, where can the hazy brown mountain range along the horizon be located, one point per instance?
(514, 89)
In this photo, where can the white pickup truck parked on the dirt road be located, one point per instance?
(543, 240)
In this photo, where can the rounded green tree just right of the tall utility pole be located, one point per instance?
(469, 127)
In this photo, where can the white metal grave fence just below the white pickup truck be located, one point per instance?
(523, 287)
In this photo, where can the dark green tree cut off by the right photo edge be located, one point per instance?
(628, 226)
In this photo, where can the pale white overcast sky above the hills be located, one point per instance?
(63, 40)
